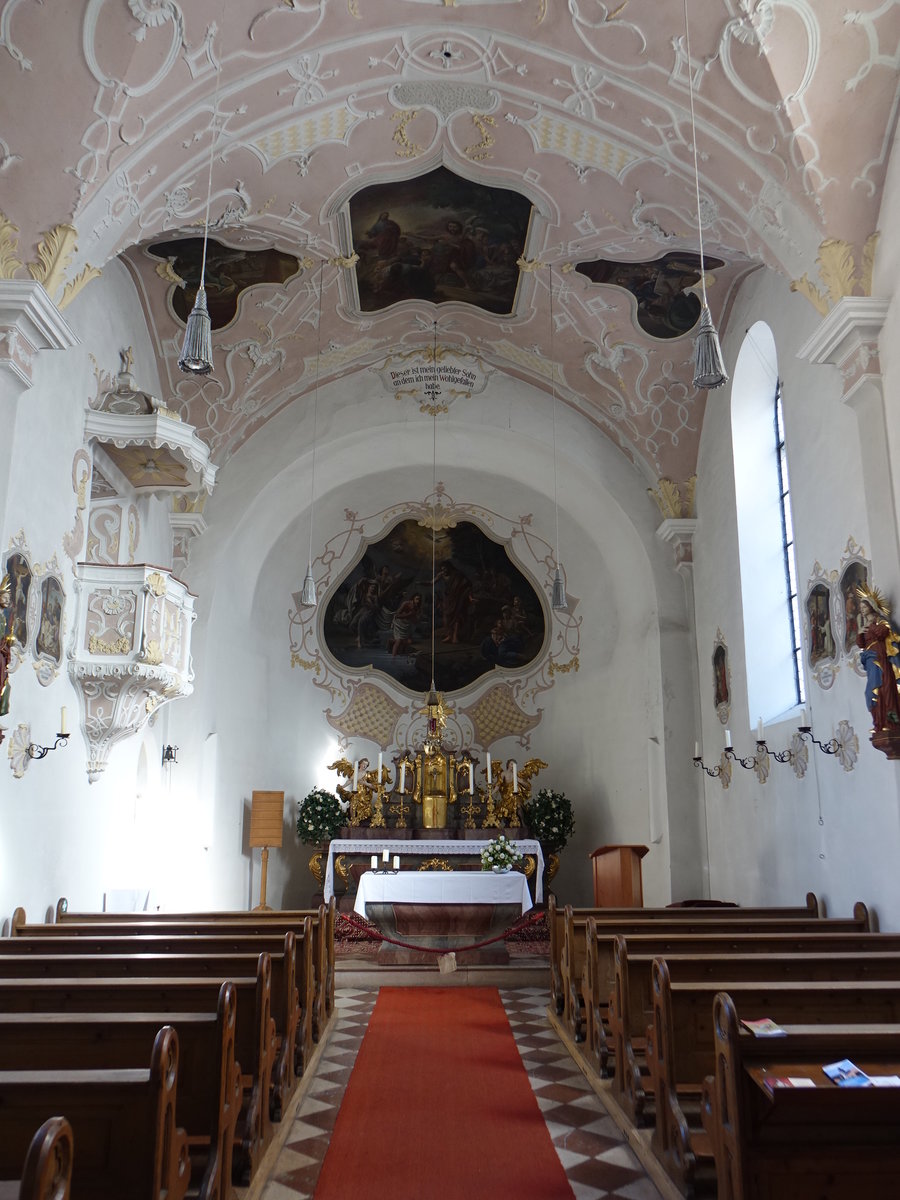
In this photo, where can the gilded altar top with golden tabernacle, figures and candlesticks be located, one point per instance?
(435, 789)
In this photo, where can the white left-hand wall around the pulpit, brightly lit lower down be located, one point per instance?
(62, 836)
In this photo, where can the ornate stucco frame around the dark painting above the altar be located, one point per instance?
(517, 709)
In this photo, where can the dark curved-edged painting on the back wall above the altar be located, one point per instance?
(487, 613)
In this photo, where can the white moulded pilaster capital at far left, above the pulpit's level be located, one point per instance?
(29, 322)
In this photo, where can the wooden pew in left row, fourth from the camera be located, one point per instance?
(254, 1042)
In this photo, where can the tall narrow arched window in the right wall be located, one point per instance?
(769, 574)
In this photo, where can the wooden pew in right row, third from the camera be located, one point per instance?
(632, 1005)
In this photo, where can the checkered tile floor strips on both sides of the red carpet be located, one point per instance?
(597, 1161)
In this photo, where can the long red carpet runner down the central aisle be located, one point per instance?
(440, 1107)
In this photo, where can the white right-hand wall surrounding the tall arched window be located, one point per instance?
(833, 832)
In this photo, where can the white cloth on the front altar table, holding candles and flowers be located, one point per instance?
(443, 887)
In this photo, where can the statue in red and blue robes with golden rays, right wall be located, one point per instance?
(880, 645)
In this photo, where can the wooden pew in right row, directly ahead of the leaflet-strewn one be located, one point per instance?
(681, 1049)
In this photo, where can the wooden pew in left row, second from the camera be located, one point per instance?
(124, 1123)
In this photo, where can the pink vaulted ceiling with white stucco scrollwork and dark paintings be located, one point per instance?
(329, 113)
